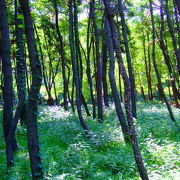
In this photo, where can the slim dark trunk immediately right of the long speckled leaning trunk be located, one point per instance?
(129, 59)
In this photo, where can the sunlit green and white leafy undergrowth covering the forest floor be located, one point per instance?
(67, 154)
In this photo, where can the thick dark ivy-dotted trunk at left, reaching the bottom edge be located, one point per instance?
(33, 143)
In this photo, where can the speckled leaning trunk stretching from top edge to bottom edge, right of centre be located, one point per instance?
(127, 98)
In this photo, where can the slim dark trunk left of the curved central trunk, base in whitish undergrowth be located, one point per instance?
(62, 52)
